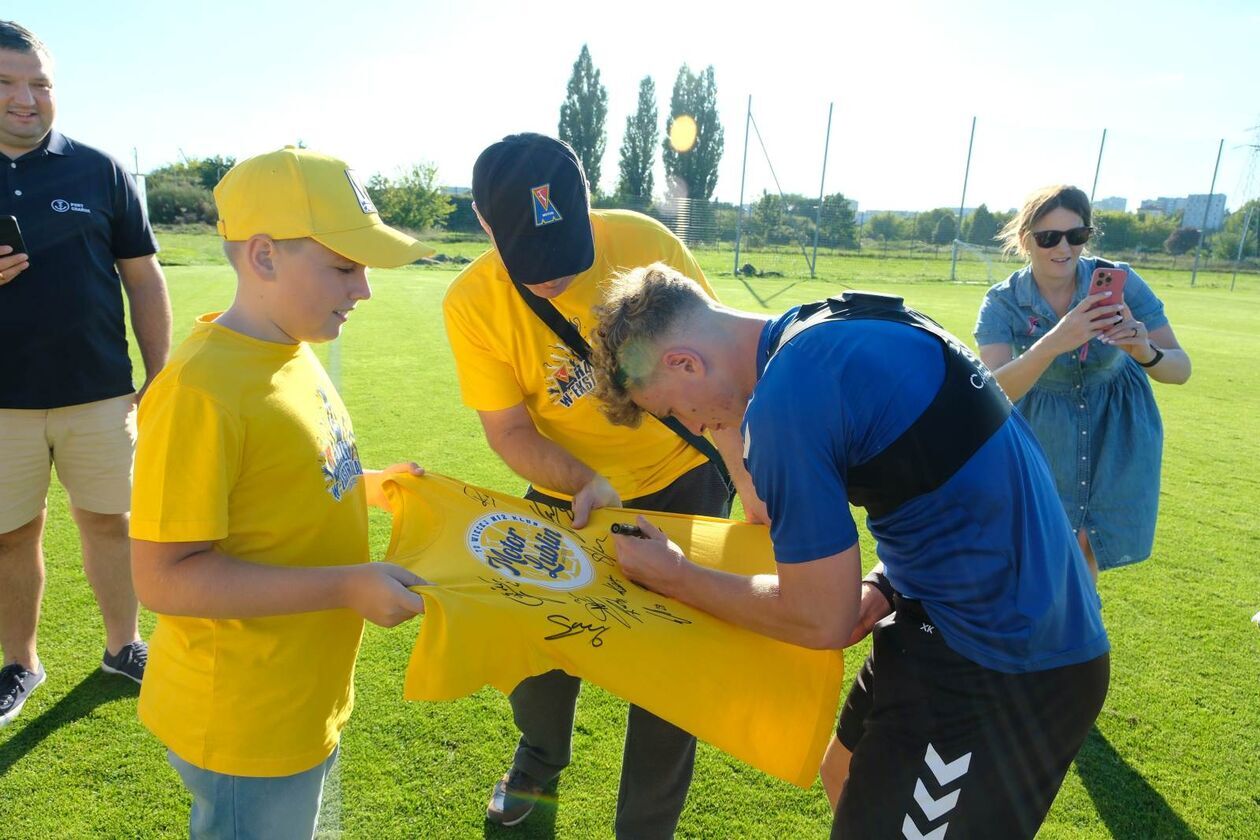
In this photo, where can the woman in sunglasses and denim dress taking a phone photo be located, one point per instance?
(1078, 368)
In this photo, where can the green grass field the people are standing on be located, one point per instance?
(1176, 752)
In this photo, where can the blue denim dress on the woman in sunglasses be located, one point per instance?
(1094, 412)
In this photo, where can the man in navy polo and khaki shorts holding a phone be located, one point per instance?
(66, 392)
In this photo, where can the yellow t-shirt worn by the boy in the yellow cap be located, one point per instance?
(248, 444)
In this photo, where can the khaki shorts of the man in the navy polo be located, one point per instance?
(93, 446)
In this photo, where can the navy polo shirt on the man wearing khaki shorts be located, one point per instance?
(62, 332)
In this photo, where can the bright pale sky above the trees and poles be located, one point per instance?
(386, 84)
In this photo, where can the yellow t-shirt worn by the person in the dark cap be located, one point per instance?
(506, 356)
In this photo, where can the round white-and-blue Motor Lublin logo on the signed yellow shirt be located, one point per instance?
(530, 551)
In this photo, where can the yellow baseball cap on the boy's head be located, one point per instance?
(297, 193)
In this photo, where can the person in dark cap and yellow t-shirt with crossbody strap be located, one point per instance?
(518, 321)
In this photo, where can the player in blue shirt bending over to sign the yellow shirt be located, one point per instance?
(986, 679)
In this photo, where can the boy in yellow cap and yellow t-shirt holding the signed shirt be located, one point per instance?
(250, 535)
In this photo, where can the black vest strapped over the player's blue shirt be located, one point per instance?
(967, 411)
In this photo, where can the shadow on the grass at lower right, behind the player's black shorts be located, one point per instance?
(1127, 804)
